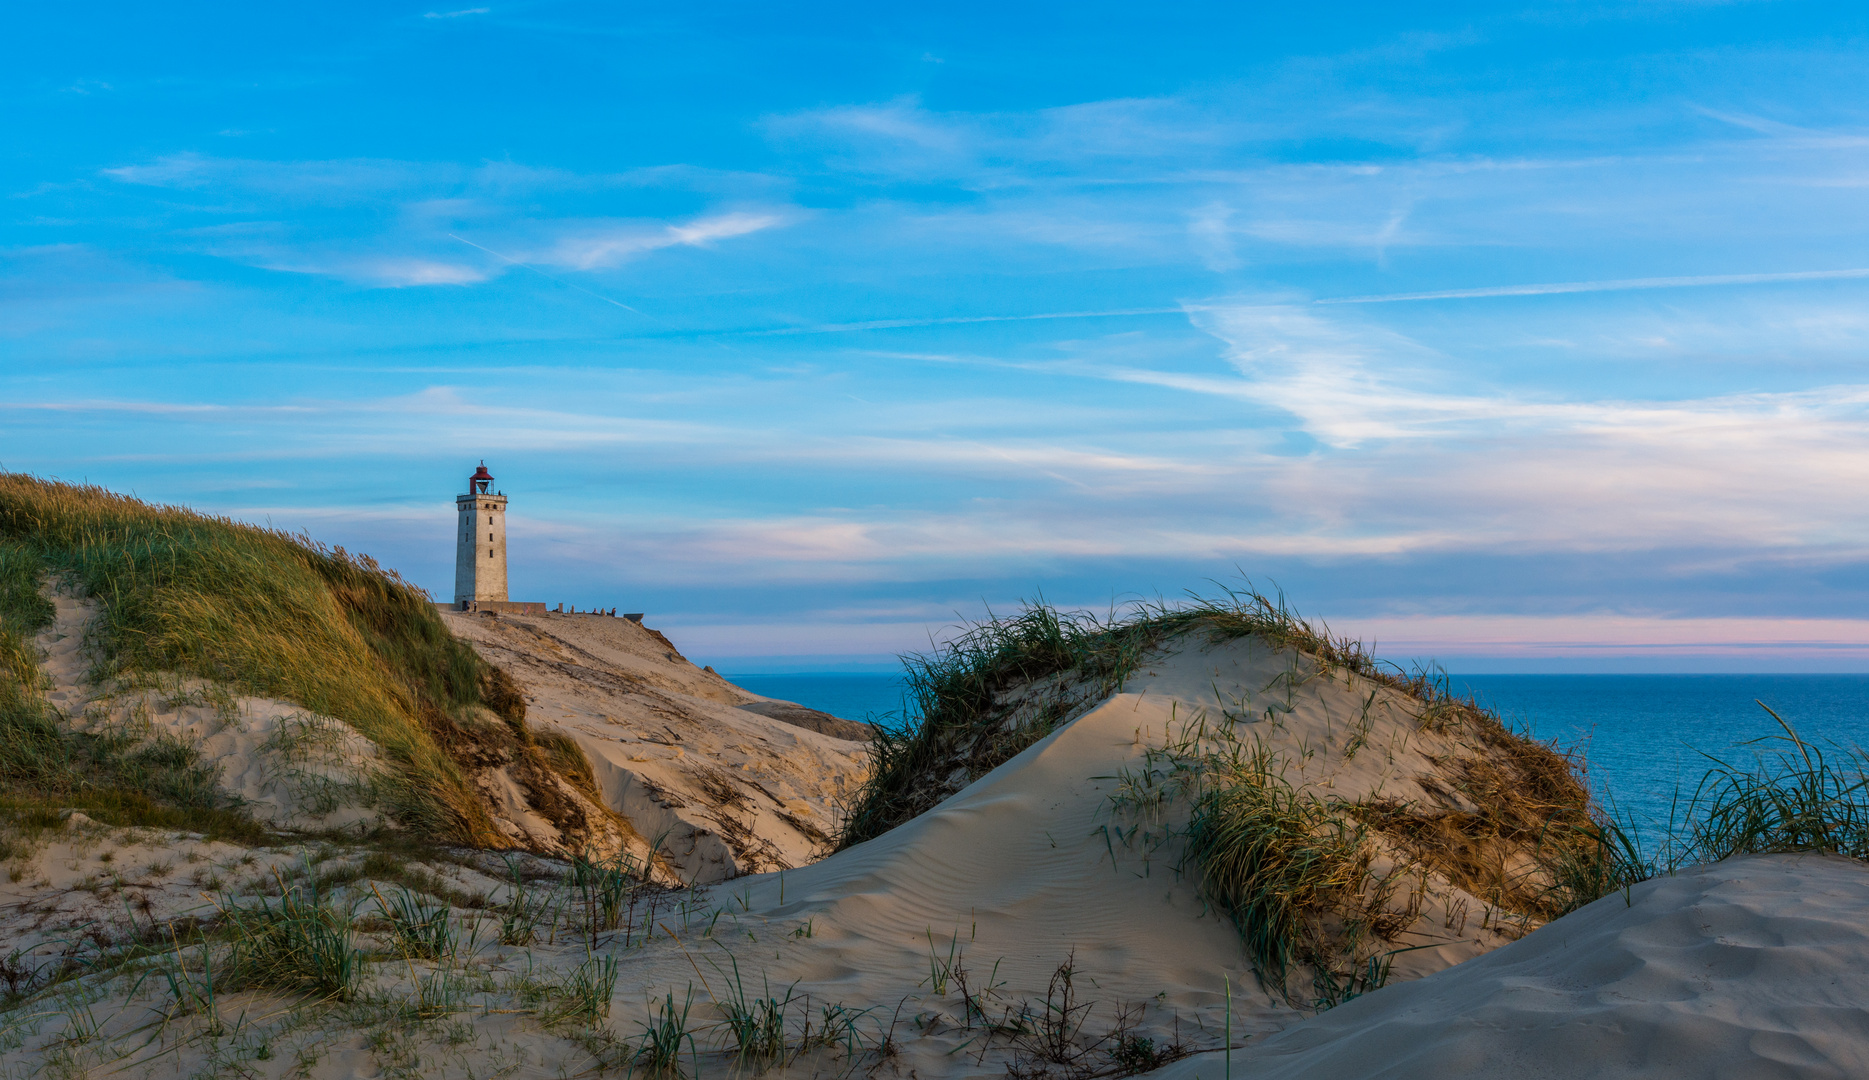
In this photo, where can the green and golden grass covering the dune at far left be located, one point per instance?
(264, 614)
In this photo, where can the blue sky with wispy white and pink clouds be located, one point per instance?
(1519, 337)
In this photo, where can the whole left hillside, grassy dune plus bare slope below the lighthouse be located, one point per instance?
(167, 668)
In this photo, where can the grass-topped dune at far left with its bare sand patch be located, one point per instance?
(162, 666)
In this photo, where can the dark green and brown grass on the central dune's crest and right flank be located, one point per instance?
(1313, 879)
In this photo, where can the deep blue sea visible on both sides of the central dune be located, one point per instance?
(1646, 739)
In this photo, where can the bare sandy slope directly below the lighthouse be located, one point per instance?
(691, 760)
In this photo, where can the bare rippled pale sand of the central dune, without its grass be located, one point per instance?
(1020, 872)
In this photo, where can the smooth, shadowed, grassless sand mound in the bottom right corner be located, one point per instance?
(1748, 969)
